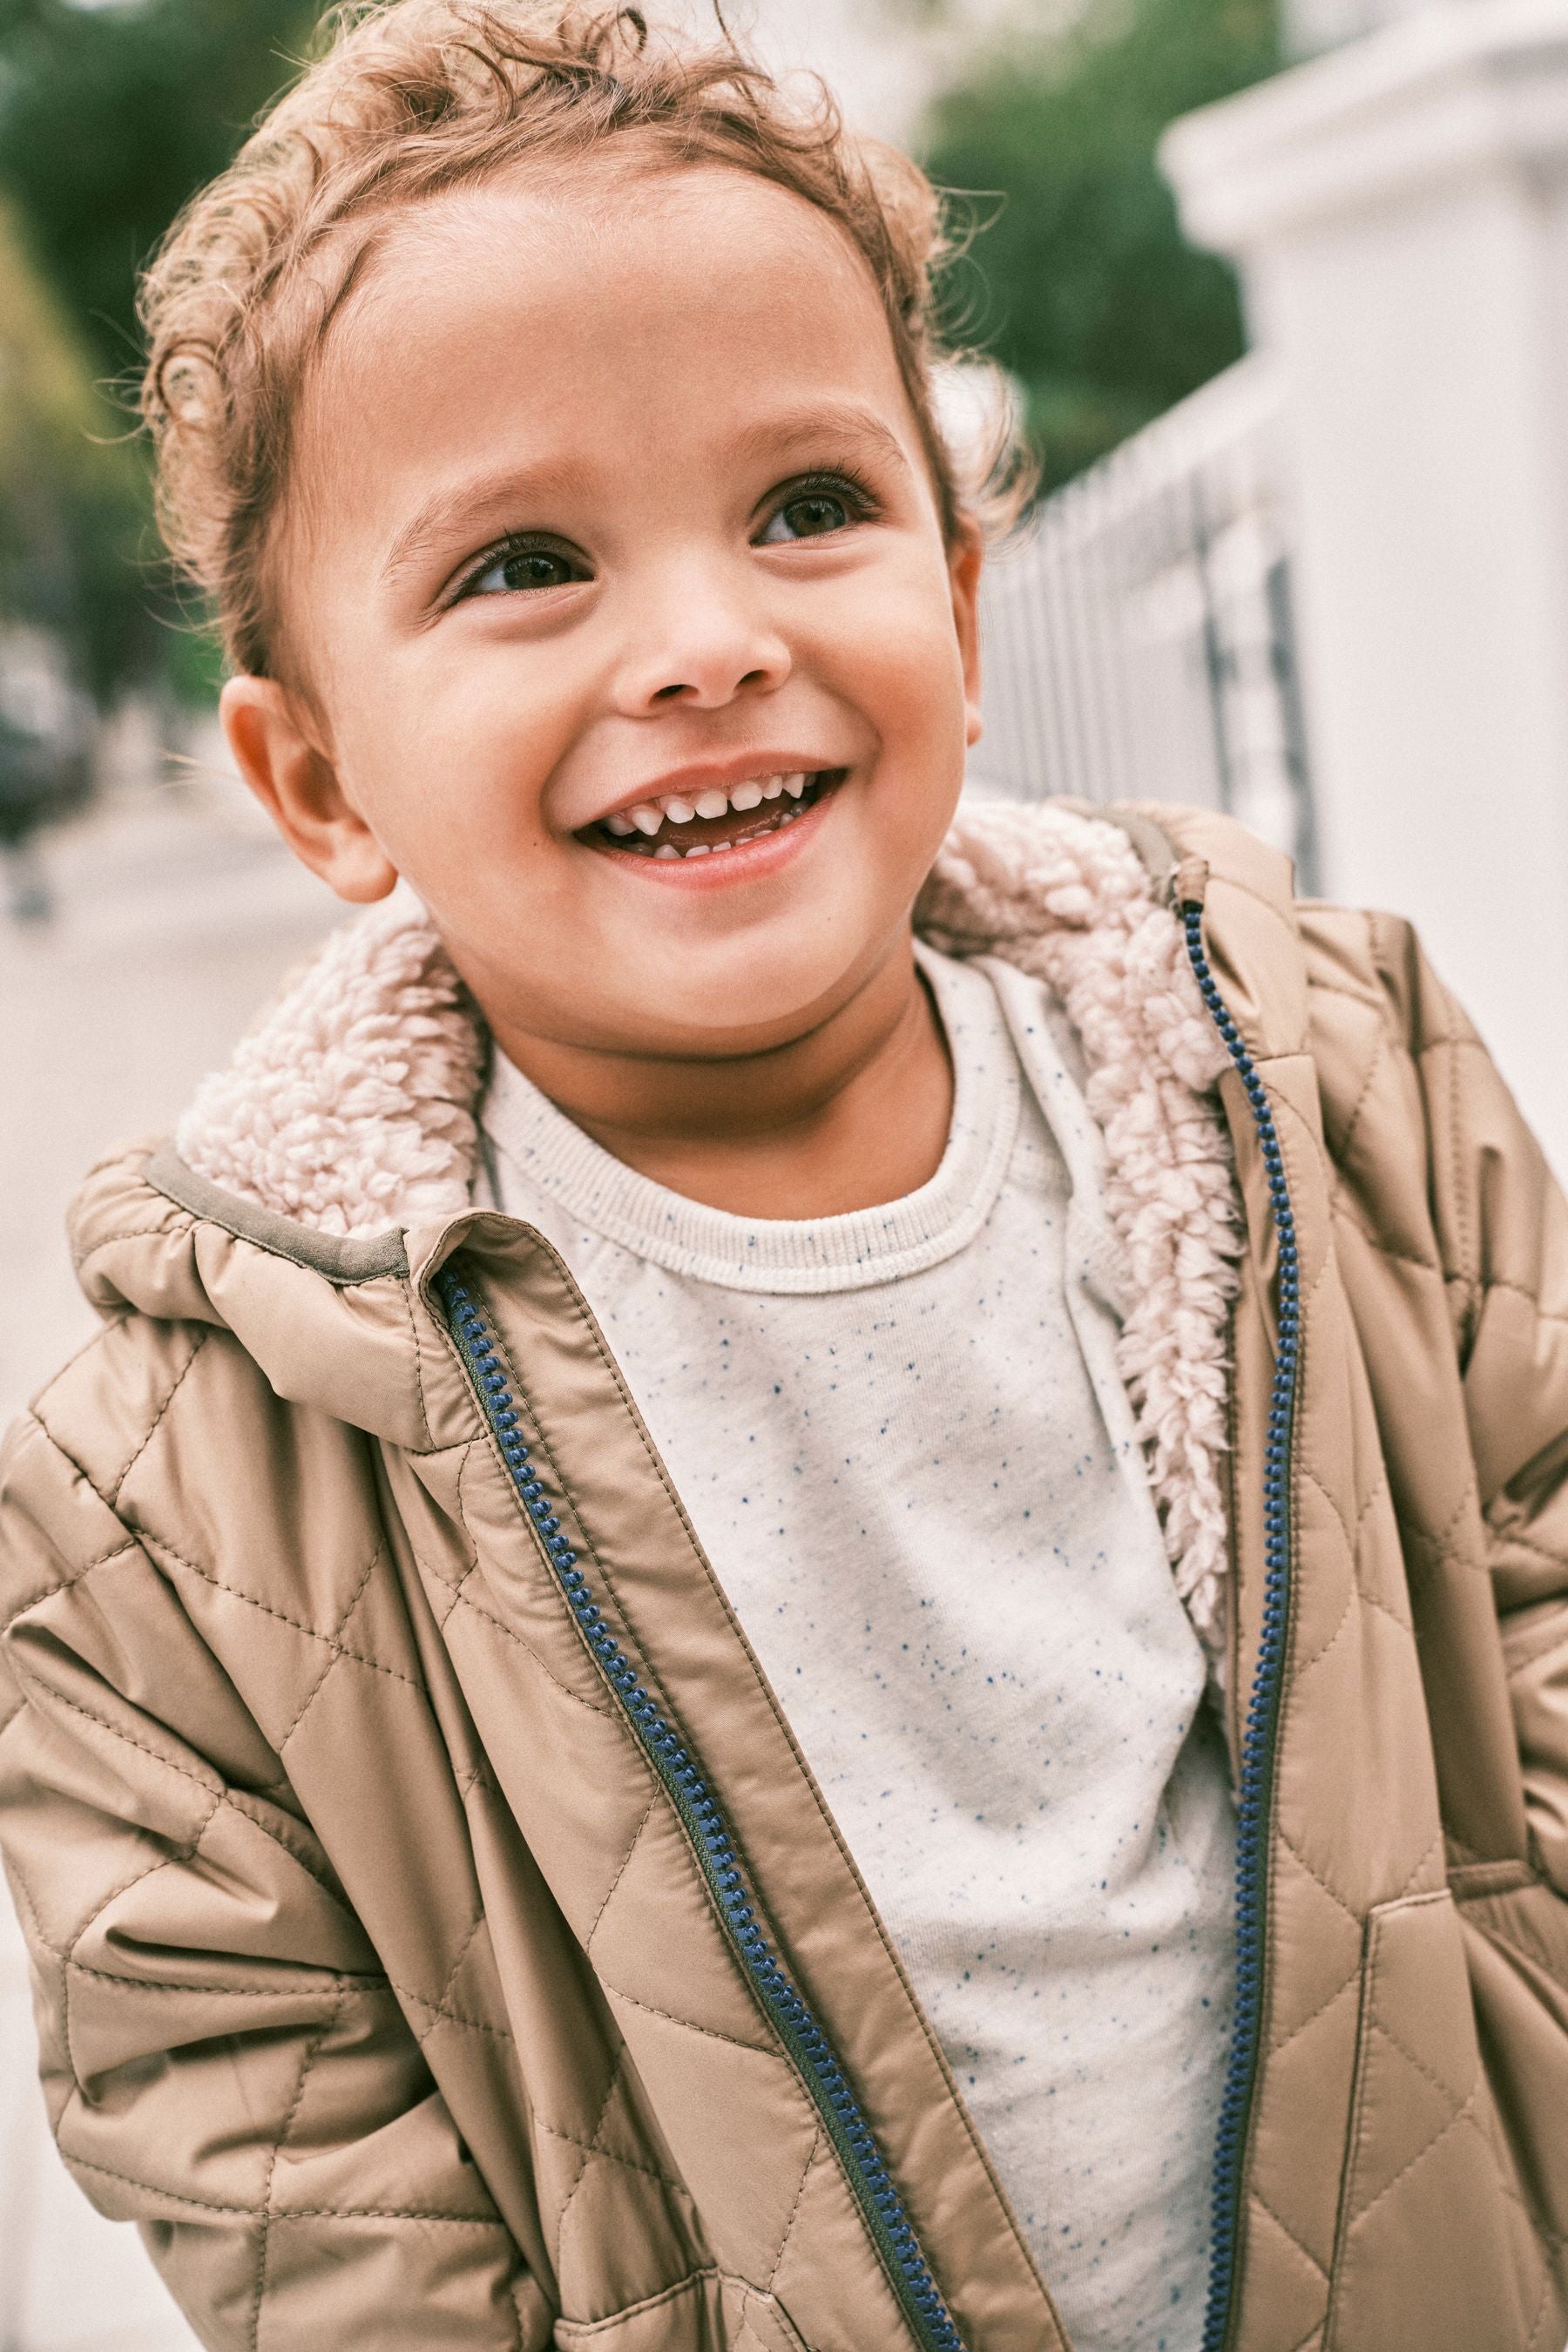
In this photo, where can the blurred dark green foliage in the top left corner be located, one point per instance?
(109, 119)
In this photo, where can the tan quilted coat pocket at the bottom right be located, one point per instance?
(1426, 2250)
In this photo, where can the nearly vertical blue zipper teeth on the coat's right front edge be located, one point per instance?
(1264, 1711)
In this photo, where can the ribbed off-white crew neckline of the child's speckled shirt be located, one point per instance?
(789, 1255)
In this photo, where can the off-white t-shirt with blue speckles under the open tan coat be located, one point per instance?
(911, 1462)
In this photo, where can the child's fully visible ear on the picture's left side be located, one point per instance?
(281, 756)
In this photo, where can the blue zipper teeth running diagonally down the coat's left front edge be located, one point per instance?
(688, 1786)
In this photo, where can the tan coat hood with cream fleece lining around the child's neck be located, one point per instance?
(326, 1172)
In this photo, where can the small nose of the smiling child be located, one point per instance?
(699, 641)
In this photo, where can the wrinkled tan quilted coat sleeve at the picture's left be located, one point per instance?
(222, 2057)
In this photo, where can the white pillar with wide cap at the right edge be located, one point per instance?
(1400, 213)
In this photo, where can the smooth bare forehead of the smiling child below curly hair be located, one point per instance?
(615, 309)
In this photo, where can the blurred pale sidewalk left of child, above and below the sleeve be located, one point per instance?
(175, 916)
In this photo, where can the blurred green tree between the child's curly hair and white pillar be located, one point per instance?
(1080, 279)
